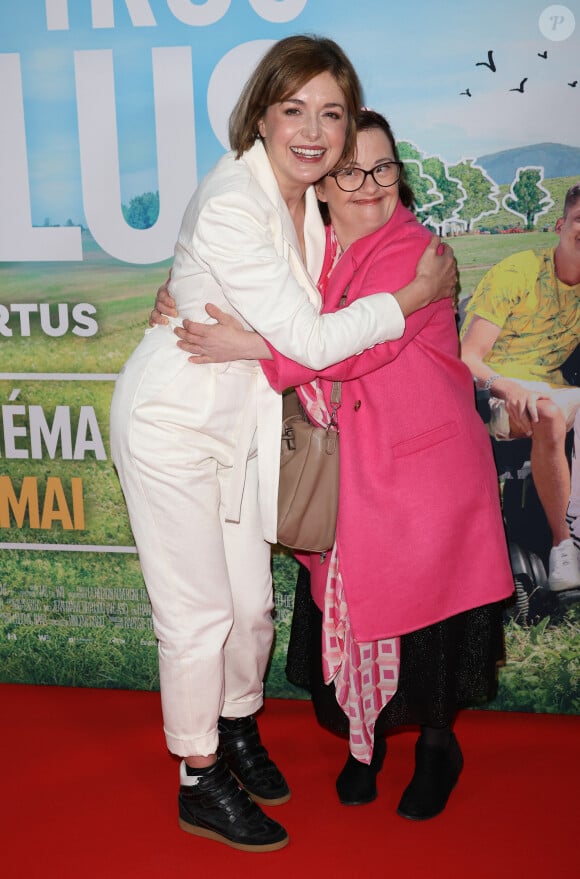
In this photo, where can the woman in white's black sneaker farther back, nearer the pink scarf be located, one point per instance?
(248, 760)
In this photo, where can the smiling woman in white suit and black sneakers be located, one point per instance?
(197, 452)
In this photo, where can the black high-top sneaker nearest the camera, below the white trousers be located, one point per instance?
(214, 806)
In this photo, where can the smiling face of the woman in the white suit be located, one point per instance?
(304, 134)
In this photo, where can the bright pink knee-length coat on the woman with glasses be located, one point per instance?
(420, 533)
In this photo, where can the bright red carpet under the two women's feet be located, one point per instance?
(88, 790)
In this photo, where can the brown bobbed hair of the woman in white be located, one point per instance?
(287, 66)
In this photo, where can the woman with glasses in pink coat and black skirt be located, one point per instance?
(404, 625)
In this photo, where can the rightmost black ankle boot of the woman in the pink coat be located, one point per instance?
(436, 772)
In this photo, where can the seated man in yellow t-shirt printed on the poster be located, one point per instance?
(521, 324)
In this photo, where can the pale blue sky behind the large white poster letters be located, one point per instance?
(414, 60)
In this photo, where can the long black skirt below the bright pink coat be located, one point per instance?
(449, 665)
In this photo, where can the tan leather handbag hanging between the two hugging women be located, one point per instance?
(308, 490)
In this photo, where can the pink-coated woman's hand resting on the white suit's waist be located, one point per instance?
(220, 342)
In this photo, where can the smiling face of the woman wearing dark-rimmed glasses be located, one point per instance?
(356, 214)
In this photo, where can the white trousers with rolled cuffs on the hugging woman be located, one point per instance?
(179, 435)
